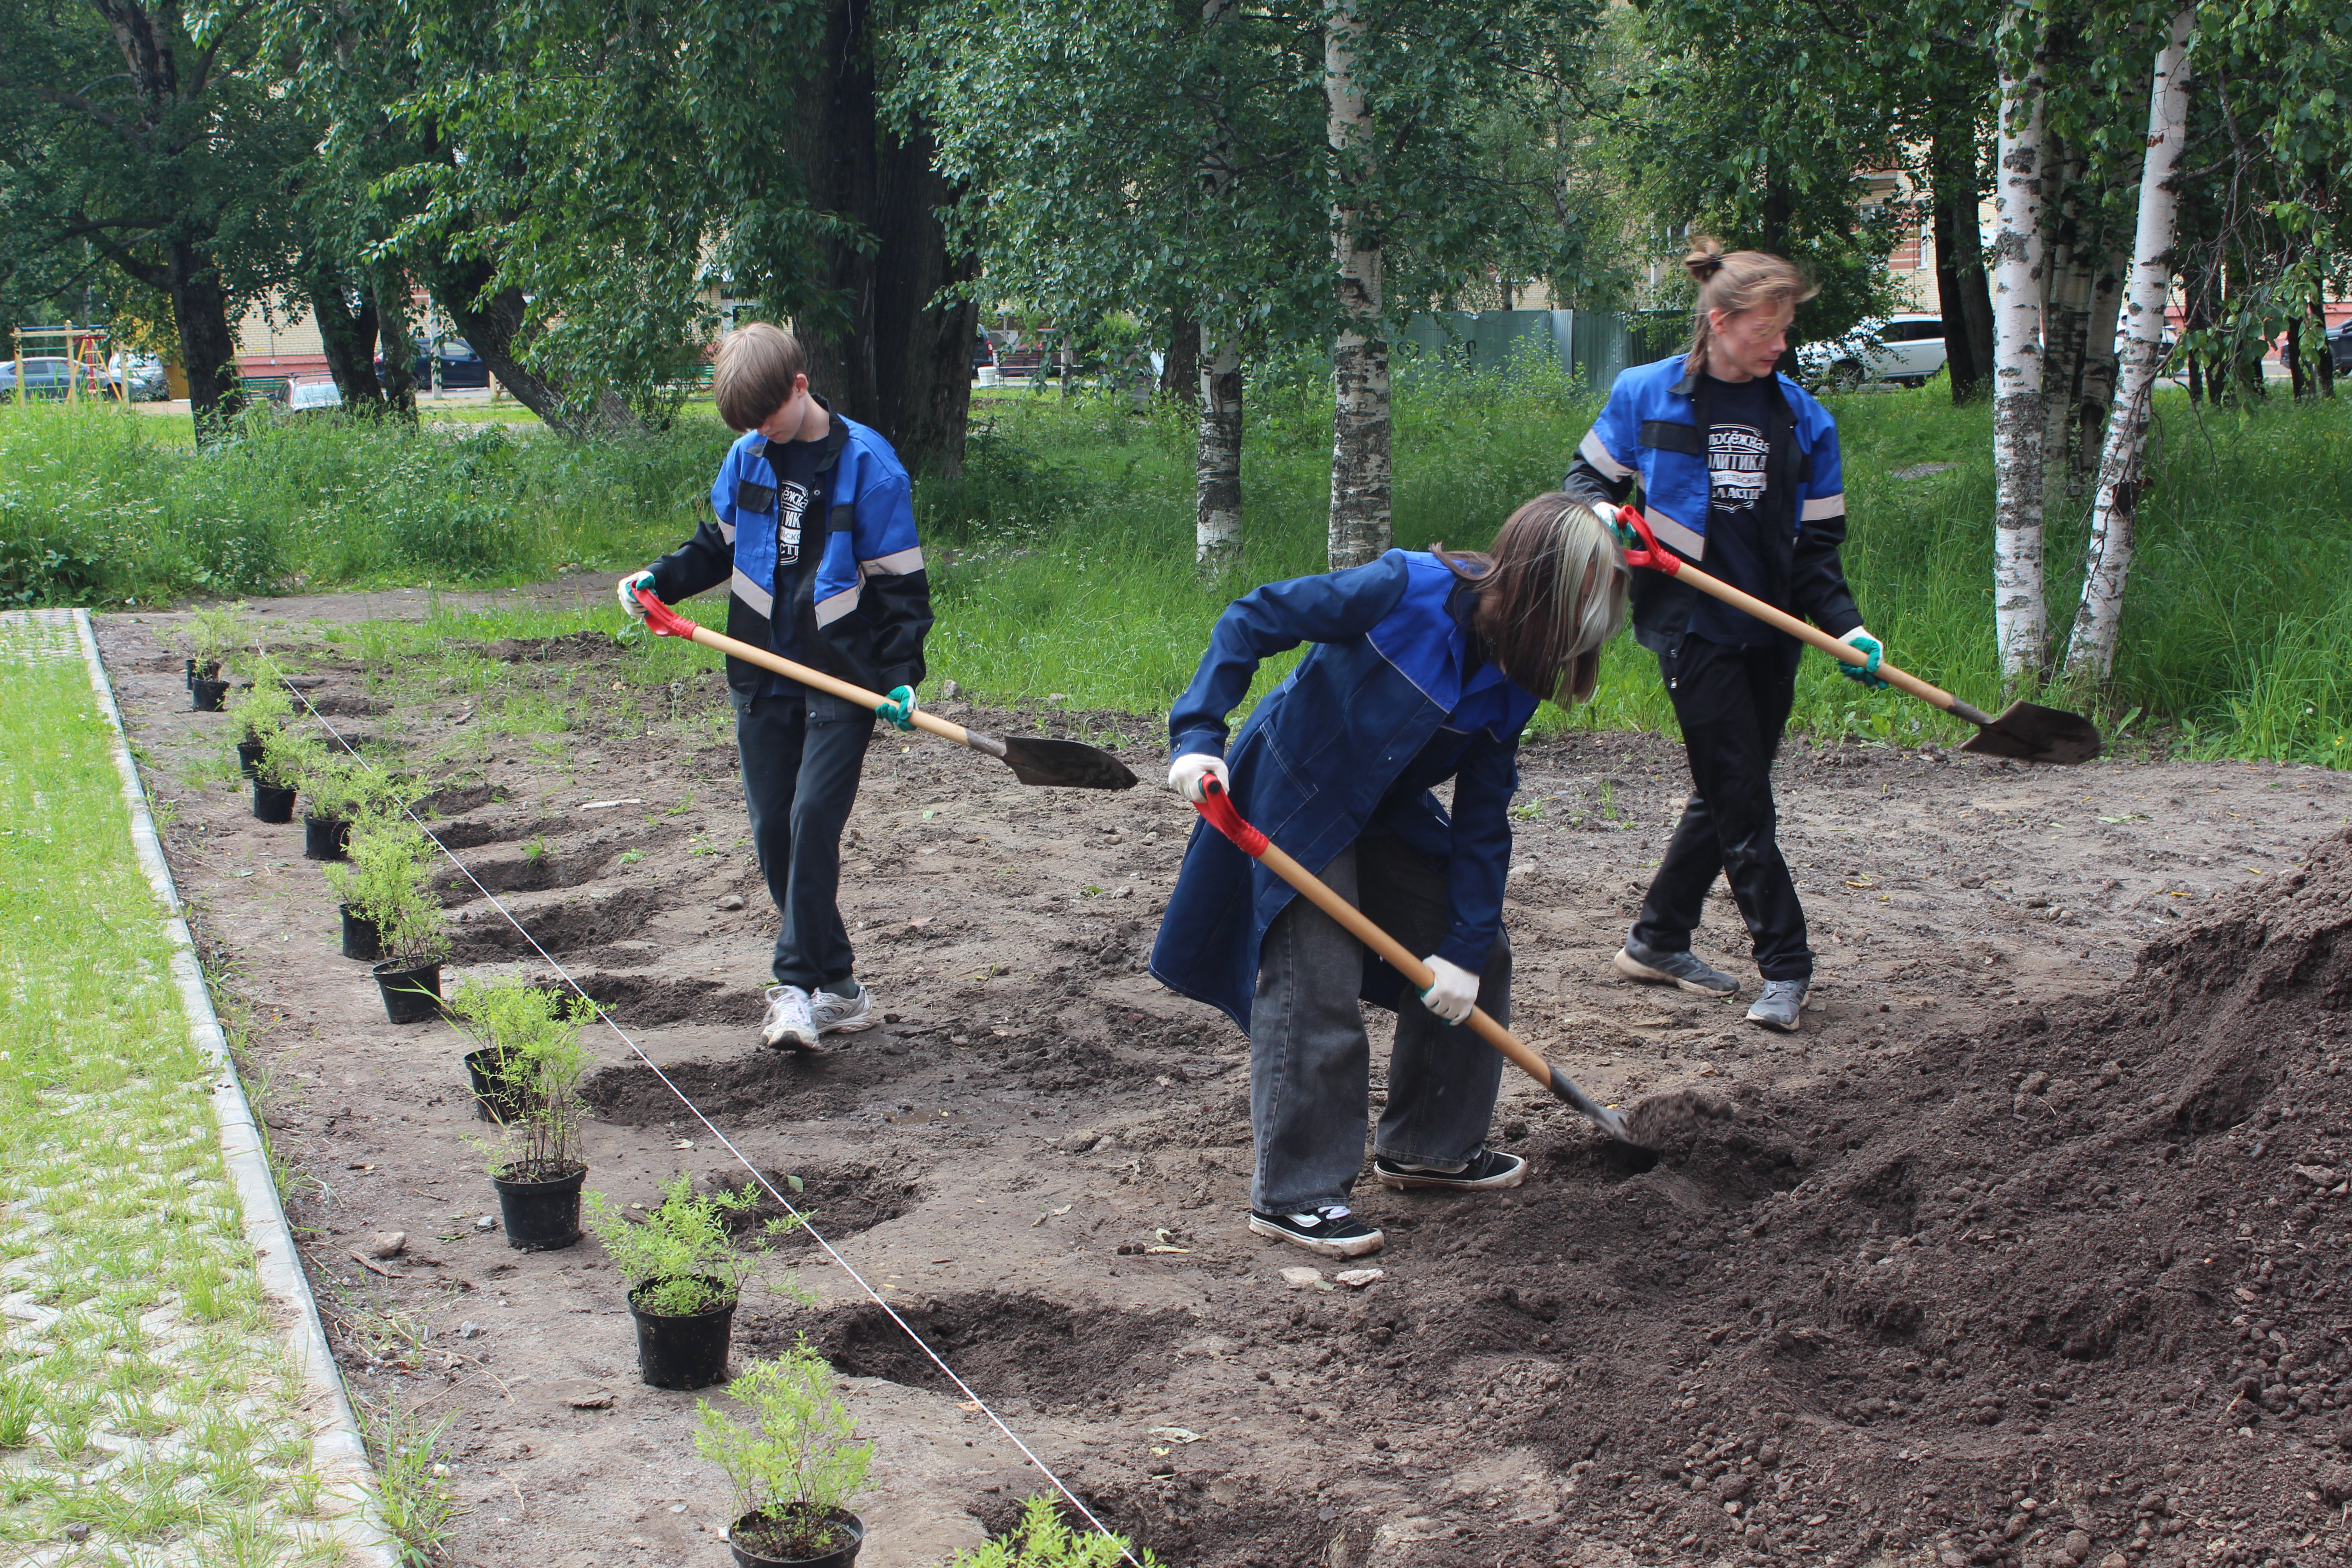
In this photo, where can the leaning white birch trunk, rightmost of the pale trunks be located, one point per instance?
(2116, 511)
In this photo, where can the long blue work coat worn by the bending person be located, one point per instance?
(1316, 763)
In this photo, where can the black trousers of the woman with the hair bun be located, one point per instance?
(1732, 706)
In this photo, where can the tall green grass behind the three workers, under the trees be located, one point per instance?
(1064, 554)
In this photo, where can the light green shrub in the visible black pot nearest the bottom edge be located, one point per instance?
(794, 1470)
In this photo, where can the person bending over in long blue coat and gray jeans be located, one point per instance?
(1426, 669)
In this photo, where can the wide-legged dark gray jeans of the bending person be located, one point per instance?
(1309, 1057)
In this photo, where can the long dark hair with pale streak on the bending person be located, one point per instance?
(1551, 596)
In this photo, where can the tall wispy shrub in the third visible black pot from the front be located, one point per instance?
(533, 1047)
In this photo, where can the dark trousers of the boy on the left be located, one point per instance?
(801, 775)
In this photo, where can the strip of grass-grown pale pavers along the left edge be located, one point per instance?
(147, 1405)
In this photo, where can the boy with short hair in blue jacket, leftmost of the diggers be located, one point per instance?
(815, 537)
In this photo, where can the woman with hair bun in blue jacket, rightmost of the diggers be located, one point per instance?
(1739, 471)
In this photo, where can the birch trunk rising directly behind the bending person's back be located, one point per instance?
(1361, 469)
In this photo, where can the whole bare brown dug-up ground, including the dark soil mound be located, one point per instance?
(2029, 1249)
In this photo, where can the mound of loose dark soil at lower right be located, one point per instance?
(2066, 1261)
